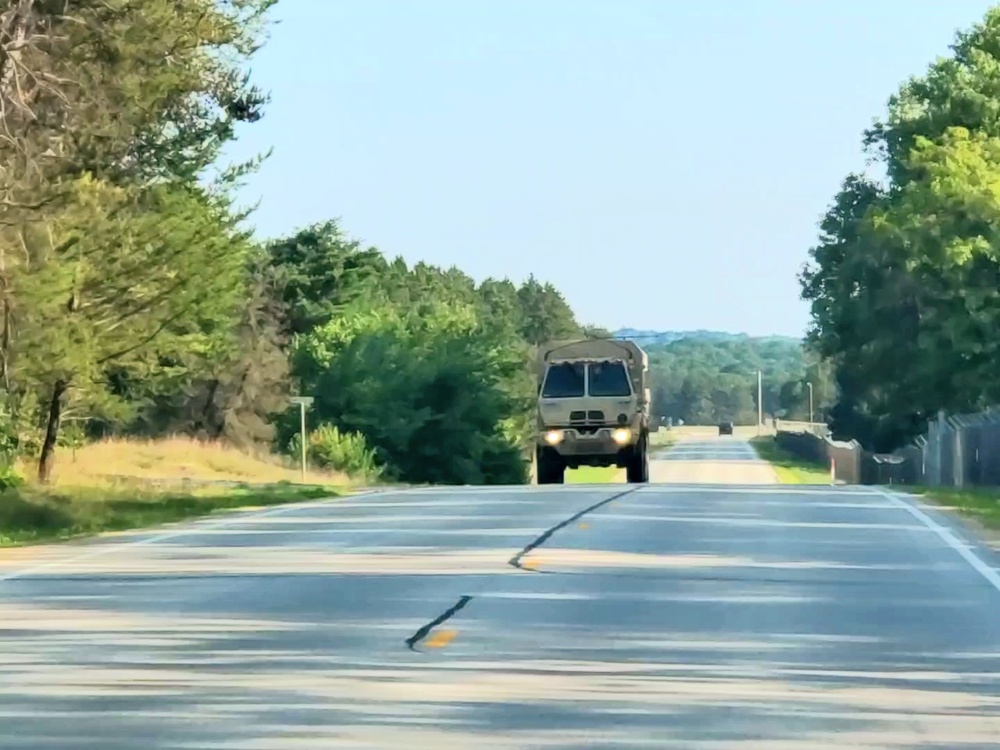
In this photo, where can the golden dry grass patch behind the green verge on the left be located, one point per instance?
(173, 459)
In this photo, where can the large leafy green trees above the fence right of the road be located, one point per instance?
(904, 283)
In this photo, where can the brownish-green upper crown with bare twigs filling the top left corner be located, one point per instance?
(125, 91)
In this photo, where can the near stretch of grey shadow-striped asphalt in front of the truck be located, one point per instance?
(687, 616)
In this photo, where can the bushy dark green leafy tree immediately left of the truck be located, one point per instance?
(430, 394)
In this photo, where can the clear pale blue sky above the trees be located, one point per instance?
(664, 163)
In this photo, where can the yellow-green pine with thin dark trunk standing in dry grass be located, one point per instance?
(112, 275)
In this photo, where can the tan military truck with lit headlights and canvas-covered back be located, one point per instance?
(593, 408)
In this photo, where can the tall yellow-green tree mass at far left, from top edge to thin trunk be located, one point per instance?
(119, 109)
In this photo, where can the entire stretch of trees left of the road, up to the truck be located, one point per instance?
(134, 299)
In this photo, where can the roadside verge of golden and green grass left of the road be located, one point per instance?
(119, 485)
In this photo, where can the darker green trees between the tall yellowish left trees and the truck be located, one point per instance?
(430, 374)
